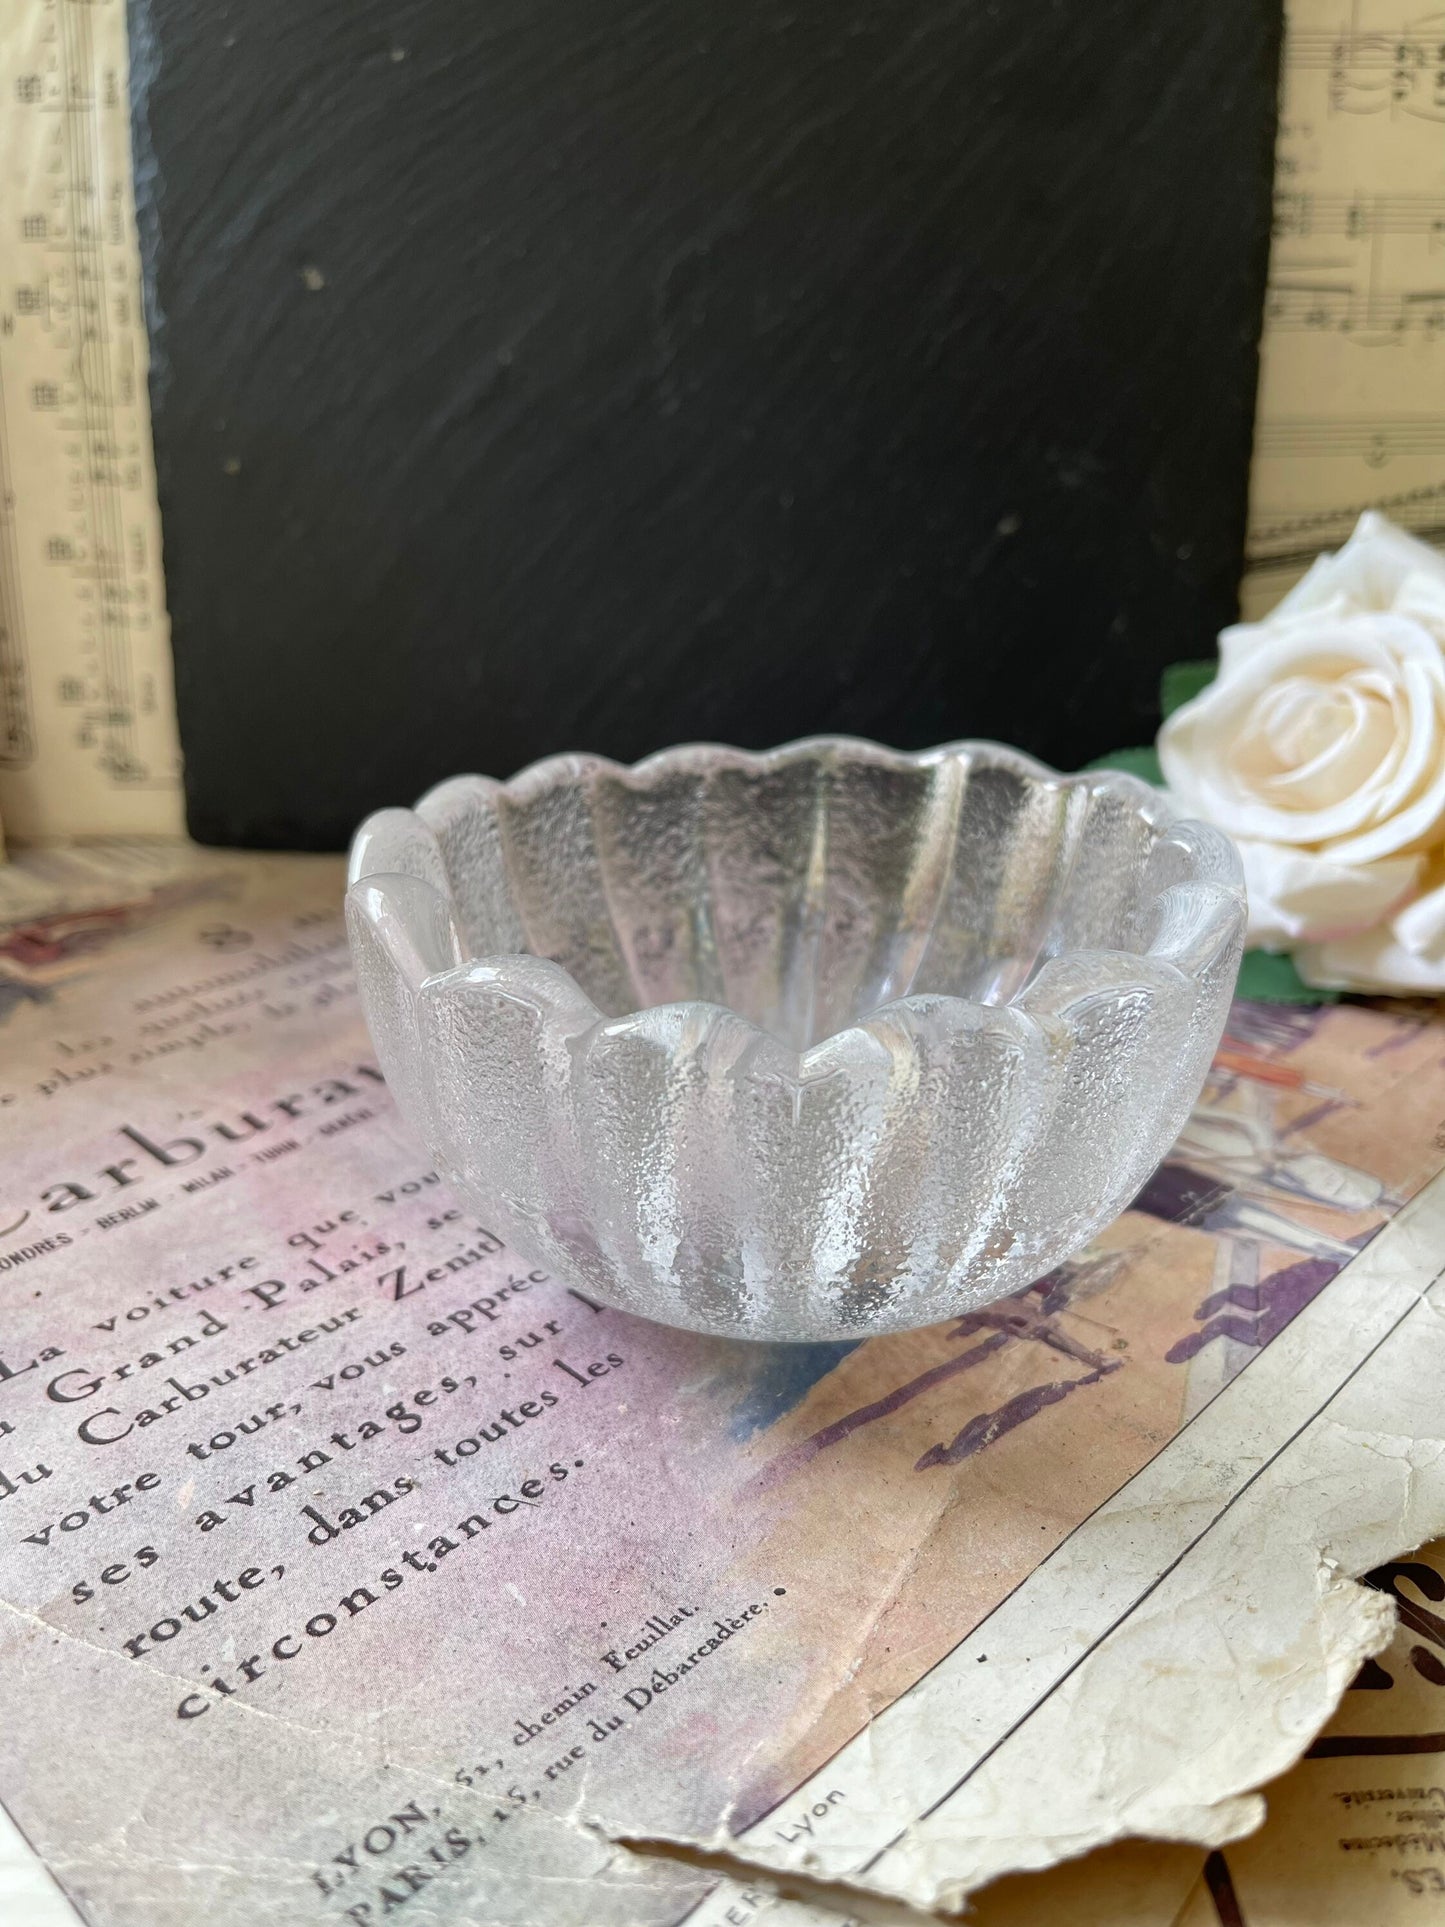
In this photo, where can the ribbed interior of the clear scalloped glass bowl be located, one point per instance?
(804, 889)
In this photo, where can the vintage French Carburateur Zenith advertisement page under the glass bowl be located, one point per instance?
(354, 1570)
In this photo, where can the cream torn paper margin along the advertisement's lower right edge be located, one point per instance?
(1182, 1647)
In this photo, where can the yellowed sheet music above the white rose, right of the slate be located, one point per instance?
(1352, 406)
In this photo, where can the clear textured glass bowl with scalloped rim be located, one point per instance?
(814, 1043)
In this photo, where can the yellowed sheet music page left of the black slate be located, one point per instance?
(88, 714)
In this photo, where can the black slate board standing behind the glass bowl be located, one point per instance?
(542, 375)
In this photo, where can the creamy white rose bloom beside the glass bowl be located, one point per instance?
(1321, 749)
